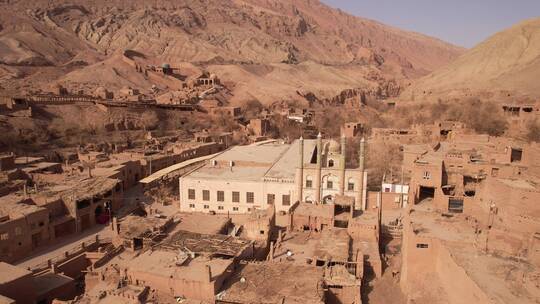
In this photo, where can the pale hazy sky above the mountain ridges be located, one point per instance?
(461, 22)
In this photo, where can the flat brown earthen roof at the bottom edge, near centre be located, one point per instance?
(274, 283)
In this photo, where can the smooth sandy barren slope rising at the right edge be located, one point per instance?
(509, 61)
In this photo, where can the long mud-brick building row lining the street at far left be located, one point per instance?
(30, 219)
